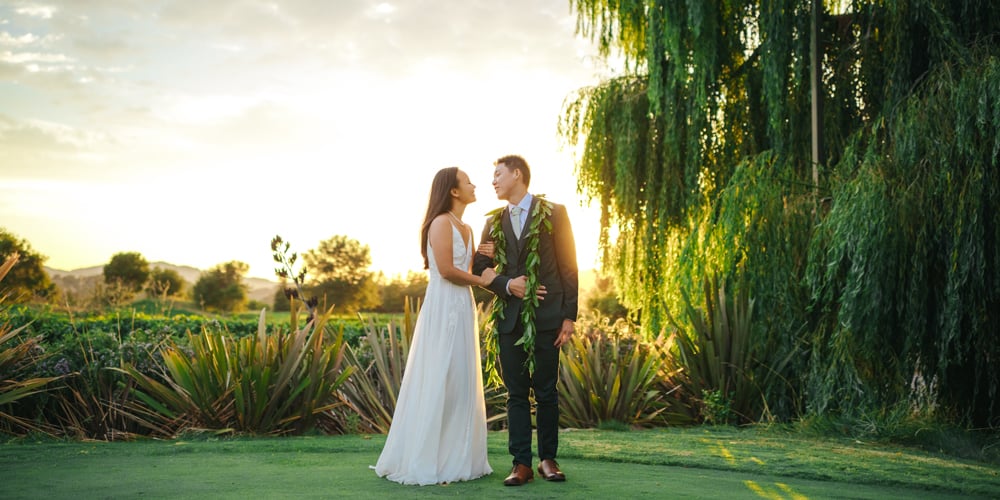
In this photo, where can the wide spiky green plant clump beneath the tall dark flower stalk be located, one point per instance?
(278, 383)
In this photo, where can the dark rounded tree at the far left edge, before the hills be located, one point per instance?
(27, 280)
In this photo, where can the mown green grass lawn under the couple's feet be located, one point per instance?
(697, 462)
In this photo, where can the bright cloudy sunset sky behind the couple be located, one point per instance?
(193, 132)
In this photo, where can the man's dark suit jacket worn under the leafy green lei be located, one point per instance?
(556, 269)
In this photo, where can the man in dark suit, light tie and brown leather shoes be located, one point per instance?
(553, 318)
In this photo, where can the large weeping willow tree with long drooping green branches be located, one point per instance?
(700, 159)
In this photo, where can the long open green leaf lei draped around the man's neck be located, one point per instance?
(539, 218)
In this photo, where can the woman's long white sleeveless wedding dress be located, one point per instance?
(438, 431)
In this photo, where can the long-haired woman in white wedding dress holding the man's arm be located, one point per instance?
(438, 431)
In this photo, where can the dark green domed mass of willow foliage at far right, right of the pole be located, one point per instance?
(908, 260)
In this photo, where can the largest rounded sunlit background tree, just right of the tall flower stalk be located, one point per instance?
(338, 274)
